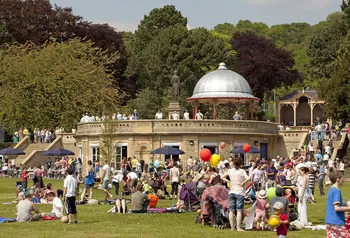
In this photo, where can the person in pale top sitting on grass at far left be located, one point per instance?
(25, 209)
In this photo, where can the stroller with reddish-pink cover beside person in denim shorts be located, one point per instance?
(214, 207)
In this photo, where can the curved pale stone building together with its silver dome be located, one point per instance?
(139, 138)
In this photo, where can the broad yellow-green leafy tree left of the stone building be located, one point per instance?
(54, 84)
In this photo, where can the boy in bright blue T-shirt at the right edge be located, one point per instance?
(335, 217)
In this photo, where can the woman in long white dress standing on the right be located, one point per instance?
(303, 184)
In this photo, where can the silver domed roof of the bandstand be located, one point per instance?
(222, 84)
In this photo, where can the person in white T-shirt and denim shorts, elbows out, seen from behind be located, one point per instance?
(238, 179)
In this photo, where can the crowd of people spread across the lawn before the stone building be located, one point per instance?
(294, 179)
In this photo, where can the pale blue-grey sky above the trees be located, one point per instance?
(126, 15)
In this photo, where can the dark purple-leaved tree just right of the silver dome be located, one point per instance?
(264, 66)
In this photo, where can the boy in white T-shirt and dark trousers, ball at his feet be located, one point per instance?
(70, 189)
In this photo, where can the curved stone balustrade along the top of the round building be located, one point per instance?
(180, 127)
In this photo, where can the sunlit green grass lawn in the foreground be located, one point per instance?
(94, 221)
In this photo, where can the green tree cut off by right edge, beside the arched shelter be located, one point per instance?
(336, 90)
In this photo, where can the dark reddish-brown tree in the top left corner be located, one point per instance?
(36, 20)
